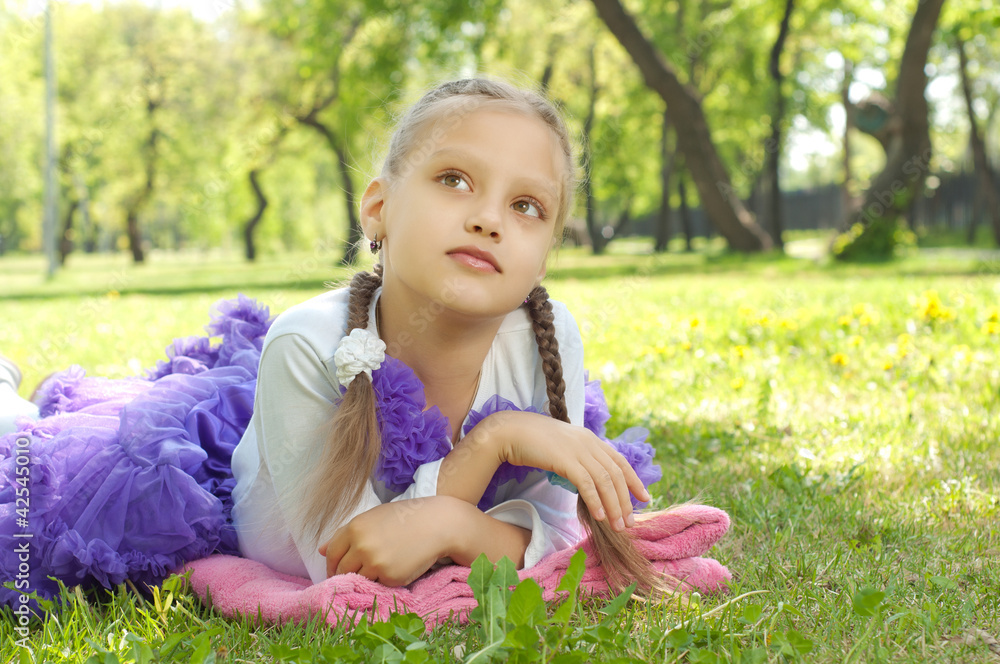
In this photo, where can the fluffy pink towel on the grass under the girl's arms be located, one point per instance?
(672, 540)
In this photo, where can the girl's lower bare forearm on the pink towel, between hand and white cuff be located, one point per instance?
(475, 532)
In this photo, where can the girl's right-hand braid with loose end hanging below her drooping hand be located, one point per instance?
(615, 551)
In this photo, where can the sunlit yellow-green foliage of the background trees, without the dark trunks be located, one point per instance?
(229, 82)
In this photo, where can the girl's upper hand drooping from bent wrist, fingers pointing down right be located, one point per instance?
(600, 474)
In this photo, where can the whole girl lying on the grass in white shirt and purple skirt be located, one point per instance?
(436, 409)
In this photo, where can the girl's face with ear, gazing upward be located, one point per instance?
(471, 222)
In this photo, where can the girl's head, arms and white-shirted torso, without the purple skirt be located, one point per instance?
(437, 370)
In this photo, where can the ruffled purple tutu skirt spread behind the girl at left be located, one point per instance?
(130, 478)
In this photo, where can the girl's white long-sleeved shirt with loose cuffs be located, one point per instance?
(296, 390)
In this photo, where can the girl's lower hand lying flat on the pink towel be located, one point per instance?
(393, 543)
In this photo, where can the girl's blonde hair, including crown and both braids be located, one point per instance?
(352, 451)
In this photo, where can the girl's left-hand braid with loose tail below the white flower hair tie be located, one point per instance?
(354, 441)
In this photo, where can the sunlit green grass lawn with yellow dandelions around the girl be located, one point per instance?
(845, 416)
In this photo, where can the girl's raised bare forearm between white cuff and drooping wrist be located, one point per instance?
(467, 469)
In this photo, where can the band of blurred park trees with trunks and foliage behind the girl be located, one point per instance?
(254, 126)
